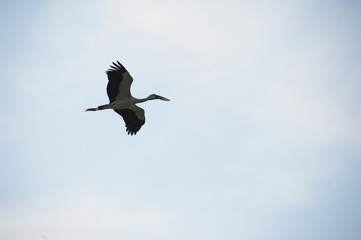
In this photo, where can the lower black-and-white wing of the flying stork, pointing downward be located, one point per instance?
(133, 117)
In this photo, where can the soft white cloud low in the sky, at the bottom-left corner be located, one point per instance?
(79, 215)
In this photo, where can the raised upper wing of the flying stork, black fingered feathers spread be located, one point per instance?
(119, 82)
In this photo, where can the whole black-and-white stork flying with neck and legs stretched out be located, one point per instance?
(121, 99)
